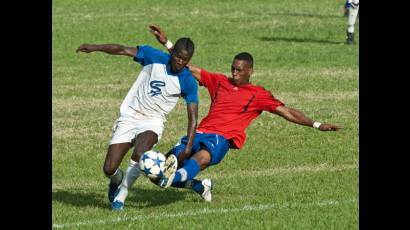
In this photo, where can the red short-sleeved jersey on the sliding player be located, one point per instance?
(233, 107)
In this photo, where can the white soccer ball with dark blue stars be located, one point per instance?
(152, 164)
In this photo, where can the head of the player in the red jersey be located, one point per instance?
(242, 68)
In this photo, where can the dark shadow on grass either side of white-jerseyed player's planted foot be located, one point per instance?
(137, 197)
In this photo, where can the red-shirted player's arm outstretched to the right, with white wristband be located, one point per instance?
(298, 117)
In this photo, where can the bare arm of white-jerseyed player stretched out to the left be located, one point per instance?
(112, 49)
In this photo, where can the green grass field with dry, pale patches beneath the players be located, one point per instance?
(286, 177)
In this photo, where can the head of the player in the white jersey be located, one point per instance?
(181, 54)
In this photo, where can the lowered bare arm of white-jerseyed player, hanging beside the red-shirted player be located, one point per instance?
(192, 110)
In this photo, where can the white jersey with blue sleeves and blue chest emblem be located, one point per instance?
(156, 90)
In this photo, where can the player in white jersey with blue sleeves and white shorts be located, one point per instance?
(163, 79)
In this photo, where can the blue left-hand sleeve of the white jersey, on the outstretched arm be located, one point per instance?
(148, 55)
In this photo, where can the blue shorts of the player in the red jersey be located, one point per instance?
(215, 144)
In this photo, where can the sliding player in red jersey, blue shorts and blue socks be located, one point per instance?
(235, 102)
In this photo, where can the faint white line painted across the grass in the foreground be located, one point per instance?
(207, 211)
